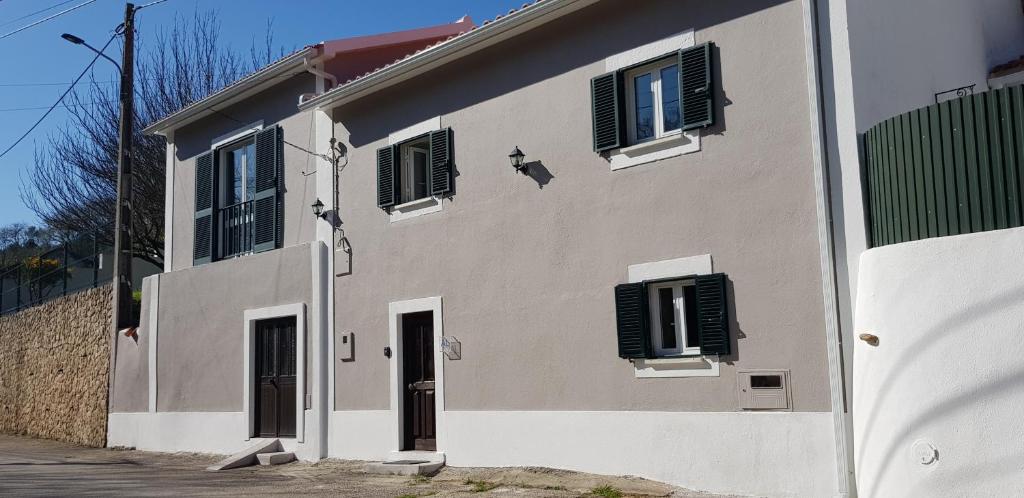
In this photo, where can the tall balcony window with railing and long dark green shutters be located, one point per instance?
(238, 197)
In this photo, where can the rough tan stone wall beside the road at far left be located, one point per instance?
(54, 369)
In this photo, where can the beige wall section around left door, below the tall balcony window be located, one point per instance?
(201, 338)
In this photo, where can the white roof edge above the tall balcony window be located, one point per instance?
(231, 94)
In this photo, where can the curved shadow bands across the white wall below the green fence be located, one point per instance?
(937, 336)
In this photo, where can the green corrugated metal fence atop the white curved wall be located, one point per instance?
(951, 169)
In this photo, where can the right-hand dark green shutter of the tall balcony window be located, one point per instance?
(267, 203)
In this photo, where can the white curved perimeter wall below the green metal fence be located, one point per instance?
(949, 370)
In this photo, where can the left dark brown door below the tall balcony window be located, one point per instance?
(276, 379)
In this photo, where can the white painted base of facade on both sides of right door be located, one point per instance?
(764, 454)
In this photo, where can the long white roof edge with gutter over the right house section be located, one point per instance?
(444, 53)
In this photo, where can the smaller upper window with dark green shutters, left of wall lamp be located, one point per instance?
(415, 170)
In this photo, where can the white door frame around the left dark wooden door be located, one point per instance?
(250, 317)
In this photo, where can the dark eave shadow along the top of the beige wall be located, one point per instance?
(559, 48)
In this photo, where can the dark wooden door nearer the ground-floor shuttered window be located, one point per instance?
(418, 376)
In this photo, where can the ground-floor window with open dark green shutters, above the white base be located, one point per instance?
(673, 318)
